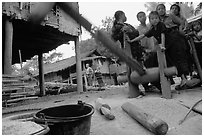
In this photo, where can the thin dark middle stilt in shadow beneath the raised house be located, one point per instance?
(41, 74)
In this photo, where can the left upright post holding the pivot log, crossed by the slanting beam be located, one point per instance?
(133, 88)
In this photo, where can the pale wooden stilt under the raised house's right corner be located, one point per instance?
(78, 66)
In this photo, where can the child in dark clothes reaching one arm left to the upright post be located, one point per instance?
(173, 45)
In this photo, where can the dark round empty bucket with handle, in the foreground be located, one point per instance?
(74, 119)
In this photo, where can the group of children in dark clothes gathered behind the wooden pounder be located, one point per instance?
(165, 30)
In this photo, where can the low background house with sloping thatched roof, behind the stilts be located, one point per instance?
(65, 70)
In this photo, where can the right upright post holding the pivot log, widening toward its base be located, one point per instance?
(165, 84)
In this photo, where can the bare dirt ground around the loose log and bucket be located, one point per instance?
(169, 110)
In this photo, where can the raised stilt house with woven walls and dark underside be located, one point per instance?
(22, 38)
